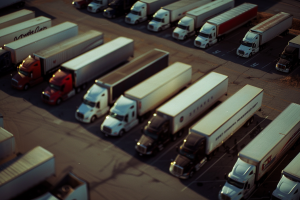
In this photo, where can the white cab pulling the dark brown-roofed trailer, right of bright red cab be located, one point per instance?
(94, 105)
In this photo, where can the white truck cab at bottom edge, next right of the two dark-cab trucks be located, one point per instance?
(240, 181)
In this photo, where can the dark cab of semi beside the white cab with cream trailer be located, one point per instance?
(156, 134)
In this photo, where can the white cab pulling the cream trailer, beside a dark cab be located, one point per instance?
(122, 117)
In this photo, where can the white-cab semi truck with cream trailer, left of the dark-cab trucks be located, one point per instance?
(137, 103)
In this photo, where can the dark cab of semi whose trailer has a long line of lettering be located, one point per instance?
(191, 156)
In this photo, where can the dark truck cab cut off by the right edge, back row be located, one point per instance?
(288, 59)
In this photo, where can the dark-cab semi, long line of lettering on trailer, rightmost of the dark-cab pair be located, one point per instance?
(210, 132)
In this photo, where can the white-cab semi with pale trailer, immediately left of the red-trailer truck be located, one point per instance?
(195, 18)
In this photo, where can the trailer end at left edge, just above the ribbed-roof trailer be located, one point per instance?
(7, 143)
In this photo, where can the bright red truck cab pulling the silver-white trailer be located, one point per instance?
(60, 88)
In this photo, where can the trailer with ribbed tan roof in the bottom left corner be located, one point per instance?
(25, 171)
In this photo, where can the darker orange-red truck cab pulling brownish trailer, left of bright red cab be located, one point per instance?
(29, 74)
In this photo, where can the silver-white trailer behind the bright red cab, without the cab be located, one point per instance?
(96, 62)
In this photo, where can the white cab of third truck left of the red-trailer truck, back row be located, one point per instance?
(138, 13)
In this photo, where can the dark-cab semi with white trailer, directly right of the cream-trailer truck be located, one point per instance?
(170, 119)
